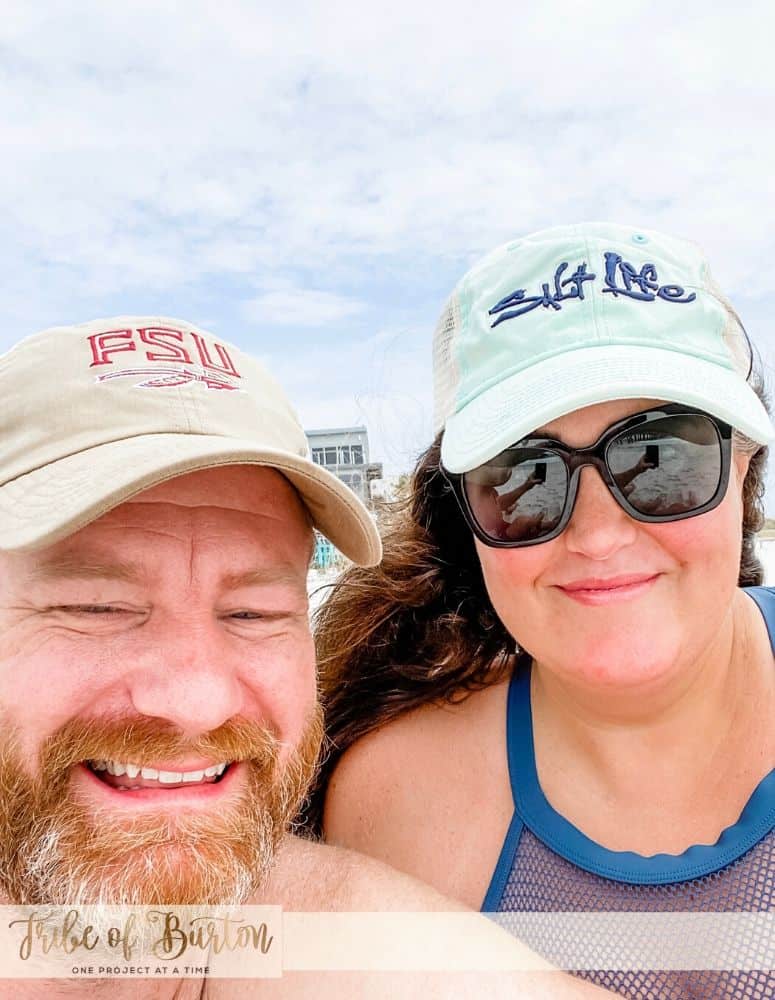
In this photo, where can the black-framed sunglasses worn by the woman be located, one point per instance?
(664, 464)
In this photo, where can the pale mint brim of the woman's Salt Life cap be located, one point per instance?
(529, 399)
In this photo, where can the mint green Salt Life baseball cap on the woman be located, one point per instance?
(583, 314)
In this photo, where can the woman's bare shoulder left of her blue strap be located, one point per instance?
(427, 788)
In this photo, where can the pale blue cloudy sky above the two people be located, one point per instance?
(310, 180)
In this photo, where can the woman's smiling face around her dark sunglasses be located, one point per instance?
(613, 600)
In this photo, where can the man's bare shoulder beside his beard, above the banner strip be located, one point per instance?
(311, 876)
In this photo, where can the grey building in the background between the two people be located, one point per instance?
(345, 452)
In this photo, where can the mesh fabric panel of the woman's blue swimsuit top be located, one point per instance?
(541, 881)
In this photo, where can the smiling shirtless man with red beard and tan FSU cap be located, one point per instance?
(158, 716)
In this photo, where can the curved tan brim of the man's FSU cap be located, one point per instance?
(48, 504)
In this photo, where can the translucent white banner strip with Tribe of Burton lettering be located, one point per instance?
(258, 942)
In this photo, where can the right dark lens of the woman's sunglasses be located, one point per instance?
(667, 467)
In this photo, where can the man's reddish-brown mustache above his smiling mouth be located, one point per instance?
(147, 740)
